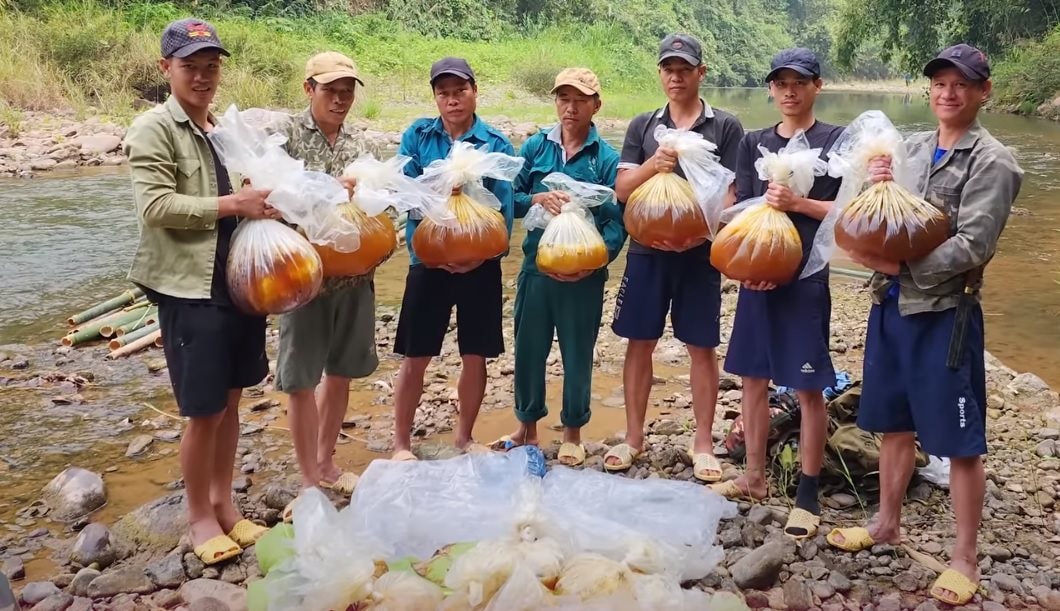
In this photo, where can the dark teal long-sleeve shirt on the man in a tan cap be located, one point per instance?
(597, 163)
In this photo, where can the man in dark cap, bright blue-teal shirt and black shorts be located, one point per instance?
(431, 294)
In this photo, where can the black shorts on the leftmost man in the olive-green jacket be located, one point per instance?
(210, 350)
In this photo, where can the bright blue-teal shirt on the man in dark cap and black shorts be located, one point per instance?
(427, 141)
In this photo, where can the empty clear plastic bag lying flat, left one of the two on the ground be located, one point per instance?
(418, 508)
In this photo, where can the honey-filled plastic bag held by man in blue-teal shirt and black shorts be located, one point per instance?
(470, 228)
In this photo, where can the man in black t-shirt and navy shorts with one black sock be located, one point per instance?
(782, 334)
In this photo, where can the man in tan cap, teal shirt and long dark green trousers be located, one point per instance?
(570, 306)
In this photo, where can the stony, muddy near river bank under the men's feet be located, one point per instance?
(142, 558)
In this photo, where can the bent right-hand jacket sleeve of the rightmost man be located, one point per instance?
(986, 202)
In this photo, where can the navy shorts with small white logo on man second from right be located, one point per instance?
(783, 336)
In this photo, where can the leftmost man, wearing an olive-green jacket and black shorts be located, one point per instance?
(188, 213)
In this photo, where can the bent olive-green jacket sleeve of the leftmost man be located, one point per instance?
(154, 168)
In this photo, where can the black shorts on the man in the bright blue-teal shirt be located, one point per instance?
(428, 306)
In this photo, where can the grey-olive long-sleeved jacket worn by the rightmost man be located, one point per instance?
(976, 183)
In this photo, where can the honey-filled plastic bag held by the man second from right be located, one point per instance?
(759, 243)
